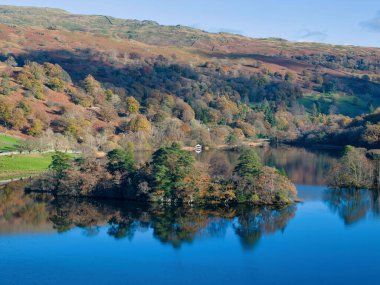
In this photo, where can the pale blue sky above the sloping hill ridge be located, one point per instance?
(355, 22)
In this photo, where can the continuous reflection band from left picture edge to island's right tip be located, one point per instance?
(174, 226)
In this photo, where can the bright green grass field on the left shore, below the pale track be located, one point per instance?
(17, 166)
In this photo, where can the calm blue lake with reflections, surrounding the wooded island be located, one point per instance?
(332, 237)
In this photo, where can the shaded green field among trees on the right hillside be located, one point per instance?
(346, 105)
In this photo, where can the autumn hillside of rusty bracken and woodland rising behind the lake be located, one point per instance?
(103, 83)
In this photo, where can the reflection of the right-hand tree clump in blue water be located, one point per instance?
(352, 205)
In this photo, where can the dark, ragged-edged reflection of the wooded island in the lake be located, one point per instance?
(171, 225)
